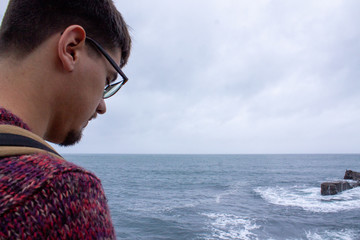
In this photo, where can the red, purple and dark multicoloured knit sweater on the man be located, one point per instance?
(43, 197)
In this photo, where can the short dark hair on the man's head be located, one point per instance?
(28, 23)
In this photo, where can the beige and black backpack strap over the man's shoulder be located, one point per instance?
(11, 134)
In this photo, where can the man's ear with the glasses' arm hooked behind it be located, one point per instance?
(70, 46)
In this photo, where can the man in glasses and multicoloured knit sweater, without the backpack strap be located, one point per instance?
(59, 59)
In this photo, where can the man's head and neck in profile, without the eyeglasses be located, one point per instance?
(50, 40)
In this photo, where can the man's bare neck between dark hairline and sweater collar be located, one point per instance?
(23, 93)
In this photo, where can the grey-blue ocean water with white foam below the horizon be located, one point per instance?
(227, 196)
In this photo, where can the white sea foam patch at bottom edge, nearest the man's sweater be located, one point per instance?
(228, 226)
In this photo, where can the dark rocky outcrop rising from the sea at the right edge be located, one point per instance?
(332, 188)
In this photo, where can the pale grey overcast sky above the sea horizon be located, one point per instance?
(234, 76)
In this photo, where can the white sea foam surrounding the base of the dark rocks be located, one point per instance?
(310, 199)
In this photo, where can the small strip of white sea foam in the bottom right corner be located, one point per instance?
(333, 235)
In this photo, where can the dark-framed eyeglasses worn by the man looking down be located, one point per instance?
(112, 87)
